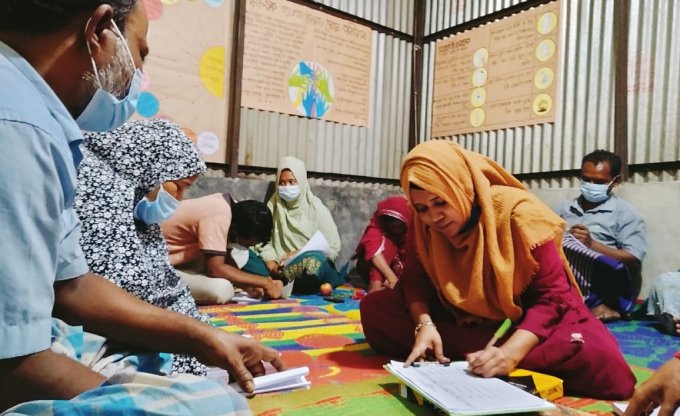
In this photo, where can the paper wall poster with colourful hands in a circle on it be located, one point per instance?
(304, 62)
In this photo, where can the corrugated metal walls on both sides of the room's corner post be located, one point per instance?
(586, 113)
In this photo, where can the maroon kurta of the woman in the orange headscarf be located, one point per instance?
(574, 345)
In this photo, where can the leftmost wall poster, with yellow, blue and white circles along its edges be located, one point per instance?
(186, 75)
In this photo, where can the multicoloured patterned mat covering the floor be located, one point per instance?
(347, 376)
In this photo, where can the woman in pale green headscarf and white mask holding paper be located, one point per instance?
(298, 215)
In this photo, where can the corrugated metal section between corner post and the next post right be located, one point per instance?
(586, 95)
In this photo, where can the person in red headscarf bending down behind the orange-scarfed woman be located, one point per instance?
(380, 252)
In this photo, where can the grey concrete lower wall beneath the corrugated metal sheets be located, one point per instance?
(352, 204)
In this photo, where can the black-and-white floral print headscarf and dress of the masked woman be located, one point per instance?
(119, 168)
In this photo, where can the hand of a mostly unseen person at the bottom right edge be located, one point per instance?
(662, 389)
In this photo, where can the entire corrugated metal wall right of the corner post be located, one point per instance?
(586, 119)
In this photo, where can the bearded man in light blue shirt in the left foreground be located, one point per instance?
(58, 58)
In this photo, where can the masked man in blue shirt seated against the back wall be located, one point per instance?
(610, 226)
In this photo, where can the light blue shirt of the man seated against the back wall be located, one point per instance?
(614, 223)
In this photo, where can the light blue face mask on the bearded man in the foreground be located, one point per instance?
(105, 110)
